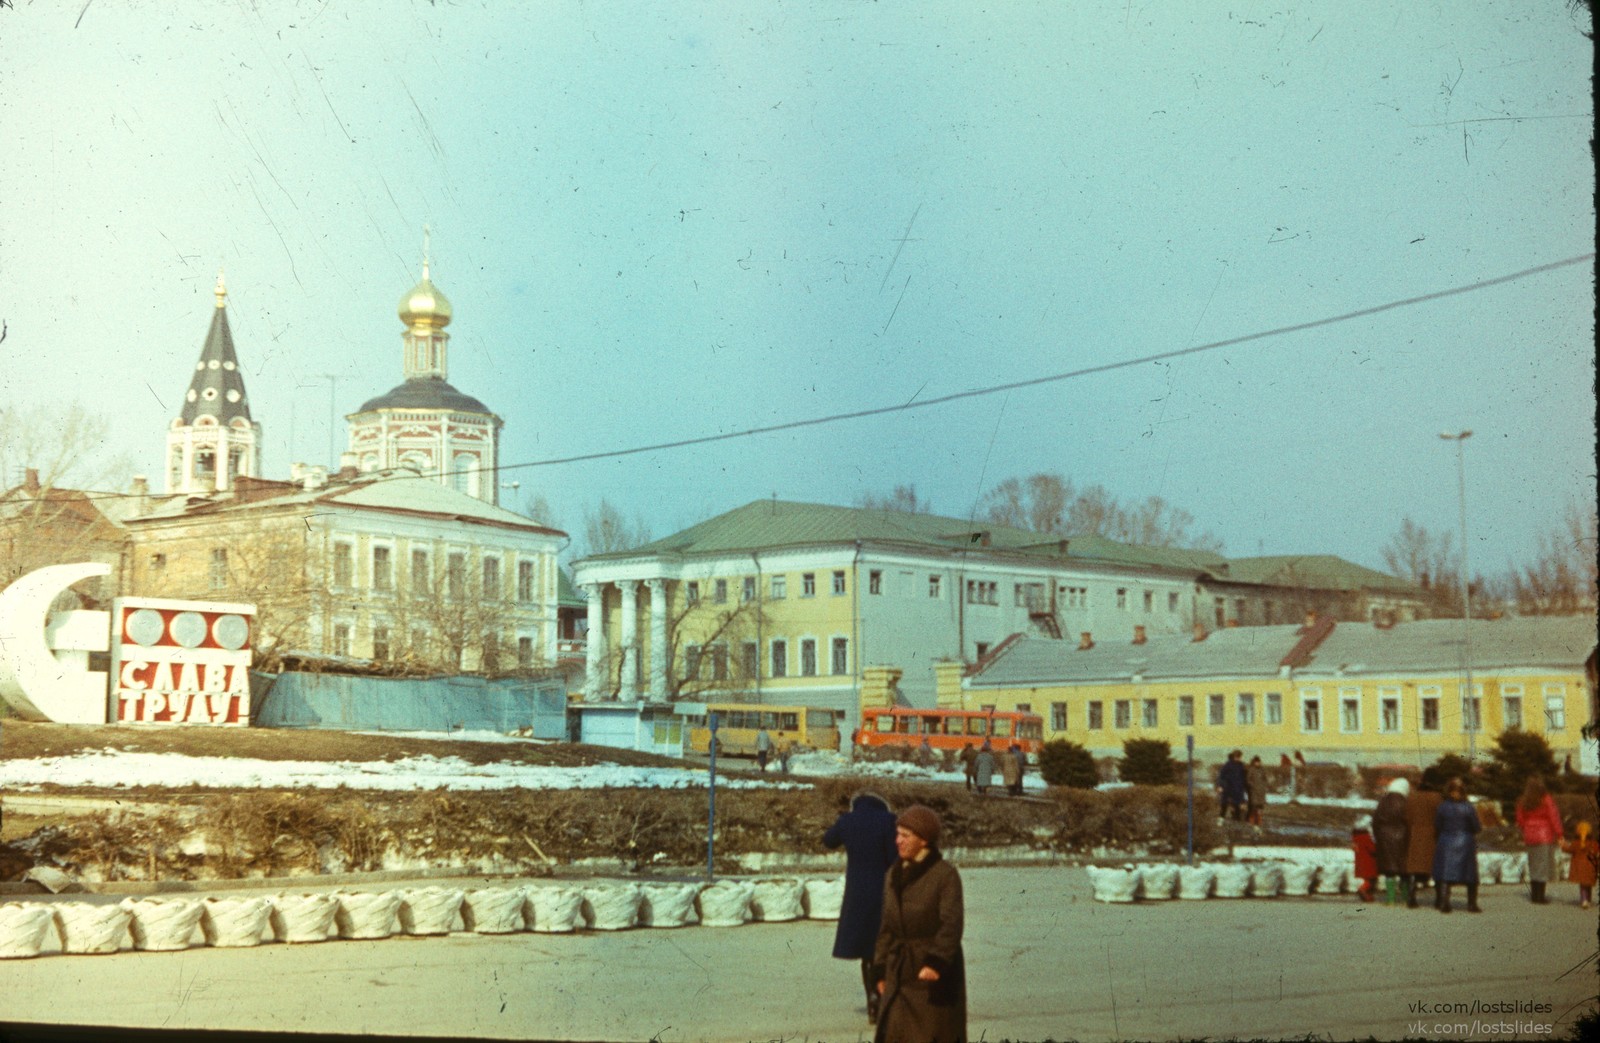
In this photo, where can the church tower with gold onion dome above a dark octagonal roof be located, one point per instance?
(423, 423)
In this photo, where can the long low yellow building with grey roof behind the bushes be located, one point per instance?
(1350, 693)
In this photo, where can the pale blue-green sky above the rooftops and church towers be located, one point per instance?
(670, 222)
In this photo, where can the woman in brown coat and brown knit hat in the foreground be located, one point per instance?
(919, 961)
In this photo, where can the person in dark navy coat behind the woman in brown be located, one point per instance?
(866, 829)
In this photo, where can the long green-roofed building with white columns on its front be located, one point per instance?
(791, 604)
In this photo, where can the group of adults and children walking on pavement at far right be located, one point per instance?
(1431, 836)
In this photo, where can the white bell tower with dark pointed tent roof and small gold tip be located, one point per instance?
(214, 441)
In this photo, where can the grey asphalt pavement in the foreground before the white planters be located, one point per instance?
(1046, 962)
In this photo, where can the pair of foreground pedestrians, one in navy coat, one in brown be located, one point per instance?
(902, 917)
